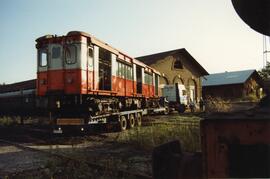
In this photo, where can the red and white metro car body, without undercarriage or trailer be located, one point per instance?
(79, 63)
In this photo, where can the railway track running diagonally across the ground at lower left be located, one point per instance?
(119, 173)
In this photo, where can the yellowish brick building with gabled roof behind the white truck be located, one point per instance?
(178, 66)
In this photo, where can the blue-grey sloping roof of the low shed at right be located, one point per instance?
(227, 78)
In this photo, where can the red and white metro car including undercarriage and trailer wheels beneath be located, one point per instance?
(81, 76)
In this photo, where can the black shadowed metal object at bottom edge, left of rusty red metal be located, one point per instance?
(170, 162)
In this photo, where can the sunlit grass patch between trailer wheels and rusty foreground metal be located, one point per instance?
(185, 129)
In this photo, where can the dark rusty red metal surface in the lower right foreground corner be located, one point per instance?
(236, 144)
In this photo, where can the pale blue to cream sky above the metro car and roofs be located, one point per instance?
(210, 30)
